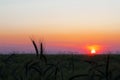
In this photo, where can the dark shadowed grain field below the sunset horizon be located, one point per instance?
(59, 67)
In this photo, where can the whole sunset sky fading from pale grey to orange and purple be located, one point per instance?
(62, 25)
